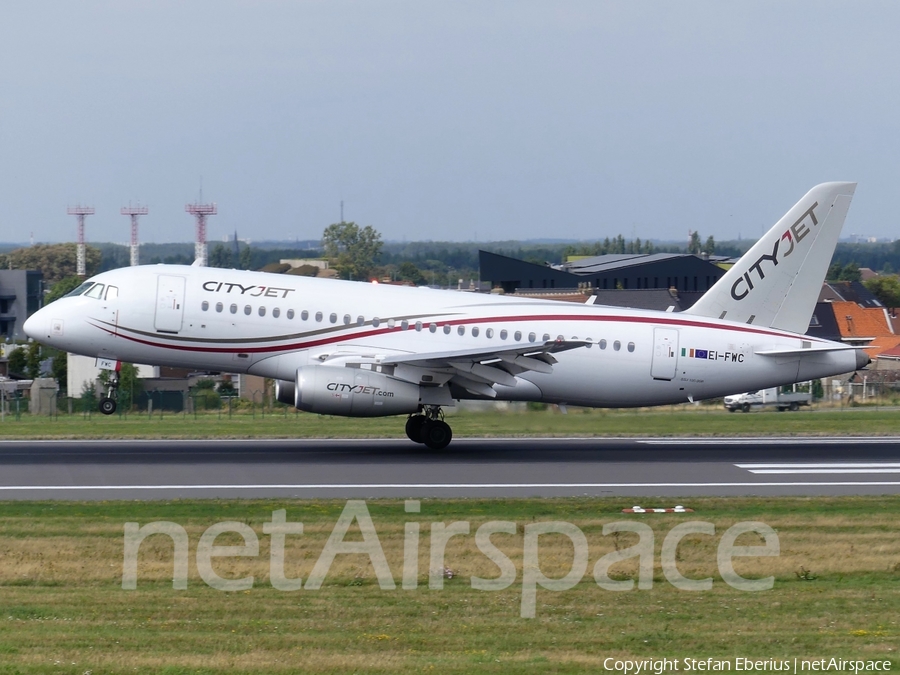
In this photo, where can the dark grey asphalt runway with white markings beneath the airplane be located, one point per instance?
(305, 468)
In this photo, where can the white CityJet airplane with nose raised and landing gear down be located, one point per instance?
(365, 350)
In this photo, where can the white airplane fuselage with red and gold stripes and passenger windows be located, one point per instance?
(271, 325)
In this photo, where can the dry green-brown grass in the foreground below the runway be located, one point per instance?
(63, 609)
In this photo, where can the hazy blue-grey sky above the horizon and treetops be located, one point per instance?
(485, 120)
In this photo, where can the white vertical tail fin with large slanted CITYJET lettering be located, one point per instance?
(777, 282)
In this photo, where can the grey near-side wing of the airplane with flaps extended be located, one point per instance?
(478, 370)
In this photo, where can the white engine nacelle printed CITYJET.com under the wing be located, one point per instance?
(353, 392)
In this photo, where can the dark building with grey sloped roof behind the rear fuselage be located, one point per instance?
(638, 271)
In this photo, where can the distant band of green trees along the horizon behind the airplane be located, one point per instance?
(359, 252)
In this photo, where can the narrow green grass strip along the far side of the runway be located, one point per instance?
(674, 421)
